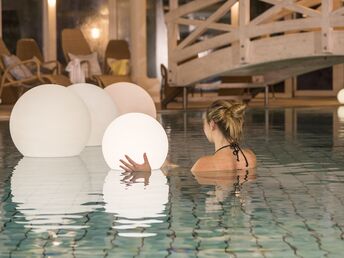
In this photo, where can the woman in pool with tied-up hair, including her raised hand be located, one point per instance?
(223, 126)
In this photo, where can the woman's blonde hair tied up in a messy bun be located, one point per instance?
(229, 117)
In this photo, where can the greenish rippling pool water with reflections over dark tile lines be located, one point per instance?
(292, 205)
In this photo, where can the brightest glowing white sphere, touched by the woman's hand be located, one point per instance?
(133, 134)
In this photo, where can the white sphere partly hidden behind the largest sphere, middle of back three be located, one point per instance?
(101, 107)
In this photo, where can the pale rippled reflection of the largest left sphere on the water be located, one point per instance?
(51, 192)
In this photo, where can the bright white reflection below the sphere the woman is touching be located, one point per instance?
(137, 200)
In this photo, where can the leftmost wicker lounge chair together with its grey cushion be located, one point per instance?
(16, 73)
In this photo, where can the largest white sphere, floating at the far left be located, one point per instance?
(50, 121)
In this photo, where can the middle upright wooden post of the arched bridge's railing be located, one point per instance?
(244, 19)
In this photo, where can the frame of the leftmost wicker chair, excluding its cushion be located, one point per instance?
(8, 81)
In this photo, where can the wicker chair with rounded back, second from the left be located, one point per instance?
(28, 48)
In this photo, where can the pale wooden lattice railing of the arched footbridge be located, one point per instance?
(284, 17)
